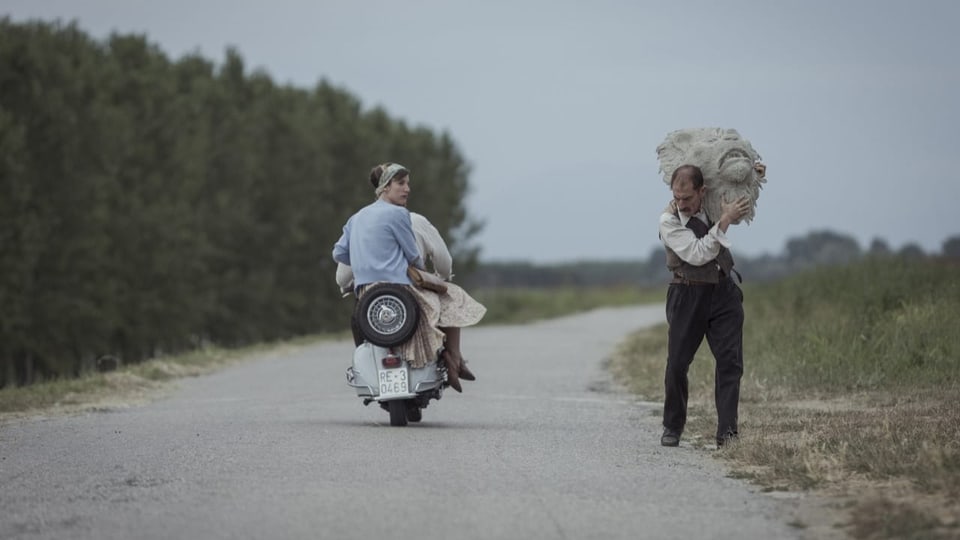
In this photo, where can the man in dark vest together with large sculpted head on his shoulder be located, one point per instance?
(715, 177)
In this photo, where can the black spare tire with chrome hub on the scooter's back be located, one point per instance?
(387, 314)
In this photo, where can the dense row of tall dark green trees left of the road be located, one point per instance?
(153, 205)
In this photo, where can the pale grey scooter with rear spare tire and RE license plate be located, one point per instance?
(385, 317)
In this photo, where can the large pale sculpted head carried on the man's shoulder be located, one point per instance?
(731, 167)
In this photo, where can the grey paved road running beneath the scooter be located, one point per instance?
(540, 446)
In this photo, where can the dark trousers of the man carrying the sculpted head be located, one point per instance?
(695, 311)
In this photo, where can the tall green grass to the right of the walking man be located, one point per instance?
(864, 327)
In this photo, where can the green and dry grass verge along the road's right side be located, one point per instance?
(851, 390)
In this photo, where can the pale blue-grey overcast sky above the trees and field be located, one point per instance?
(559, 104)
